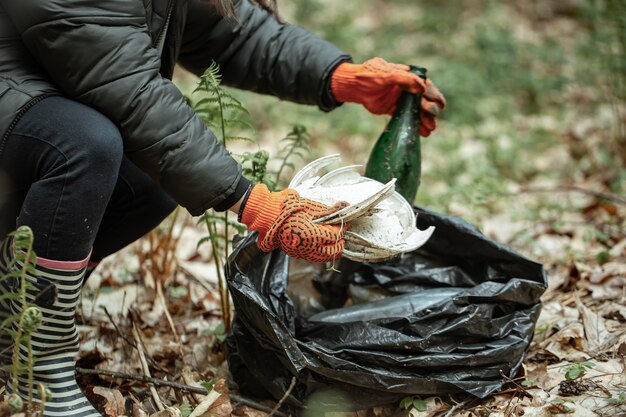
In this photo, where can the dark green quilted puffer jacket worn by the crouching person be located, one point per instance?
(103, 53)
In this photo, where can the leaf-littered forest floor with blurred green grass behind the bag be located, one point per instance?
(525, 151)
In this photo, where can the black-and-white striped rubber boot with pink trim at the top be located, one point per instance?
(55, 341)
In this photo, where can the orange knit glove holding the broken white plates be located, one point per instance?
(285, 220)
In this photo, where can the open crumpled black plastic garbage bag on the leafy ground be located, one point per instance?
(455, 316)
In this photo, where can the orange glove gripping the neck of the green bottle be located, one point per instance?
(377, 85)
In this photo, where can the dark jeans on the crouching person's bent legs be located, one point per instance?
(63, 173)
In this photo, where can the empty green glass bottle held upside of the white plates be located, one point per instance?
(397, 152)
